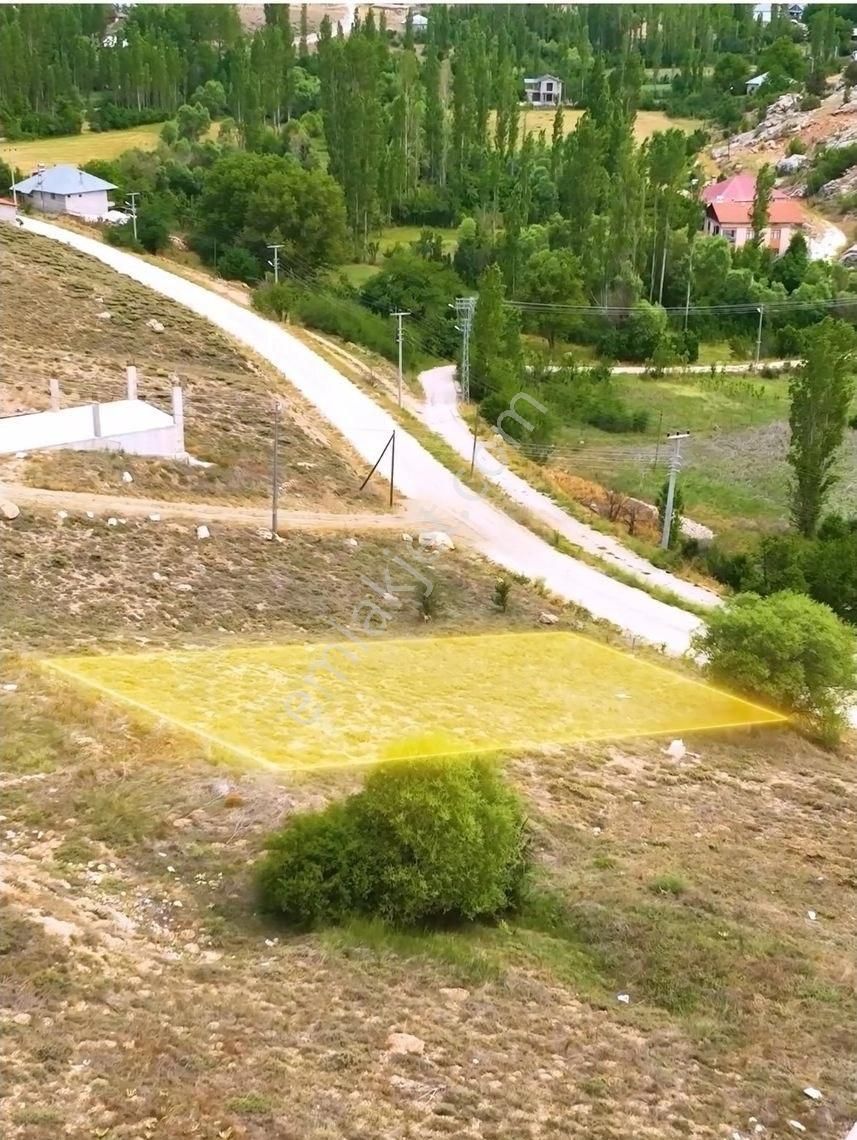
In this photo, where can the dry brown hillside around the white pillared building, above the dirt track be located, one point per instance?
(51, 327)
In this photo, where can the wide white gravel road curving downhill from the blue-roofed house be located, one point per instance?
(440, 498)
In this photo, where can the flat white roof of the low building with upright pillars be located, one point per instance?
(75, 426)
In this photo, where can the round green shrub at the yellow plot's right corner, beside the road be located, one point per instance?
(787, 650)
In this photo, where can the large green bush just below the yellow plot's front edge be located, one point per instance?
(426, 842)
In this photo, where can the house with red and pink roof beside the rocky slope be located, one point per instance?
(729, 207)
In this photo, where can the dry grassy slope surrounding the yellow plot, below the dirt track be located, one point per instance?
(132, 947)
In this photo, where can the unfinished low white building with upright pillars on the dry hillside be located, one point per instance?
(130, 426)
